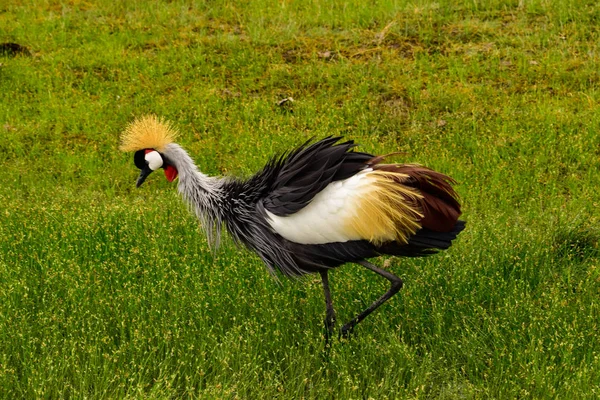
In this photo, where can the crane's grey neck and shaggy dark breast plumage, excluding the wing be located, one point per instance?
(238, 204)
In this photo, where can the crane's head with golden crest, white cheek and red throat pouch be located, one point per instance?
(148, 137)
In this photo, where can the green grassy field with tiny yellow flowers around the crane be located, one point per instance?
(107, 291)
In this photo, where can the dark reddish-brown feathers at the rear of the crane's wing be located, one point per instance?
(439, 201)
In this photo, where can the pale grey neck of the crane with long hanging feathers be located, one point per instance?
(203, 193)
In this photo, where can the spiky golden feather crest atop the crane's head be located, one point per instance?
(147, 132)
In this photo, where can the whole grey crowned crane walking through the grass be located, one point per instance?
(311, 209)
